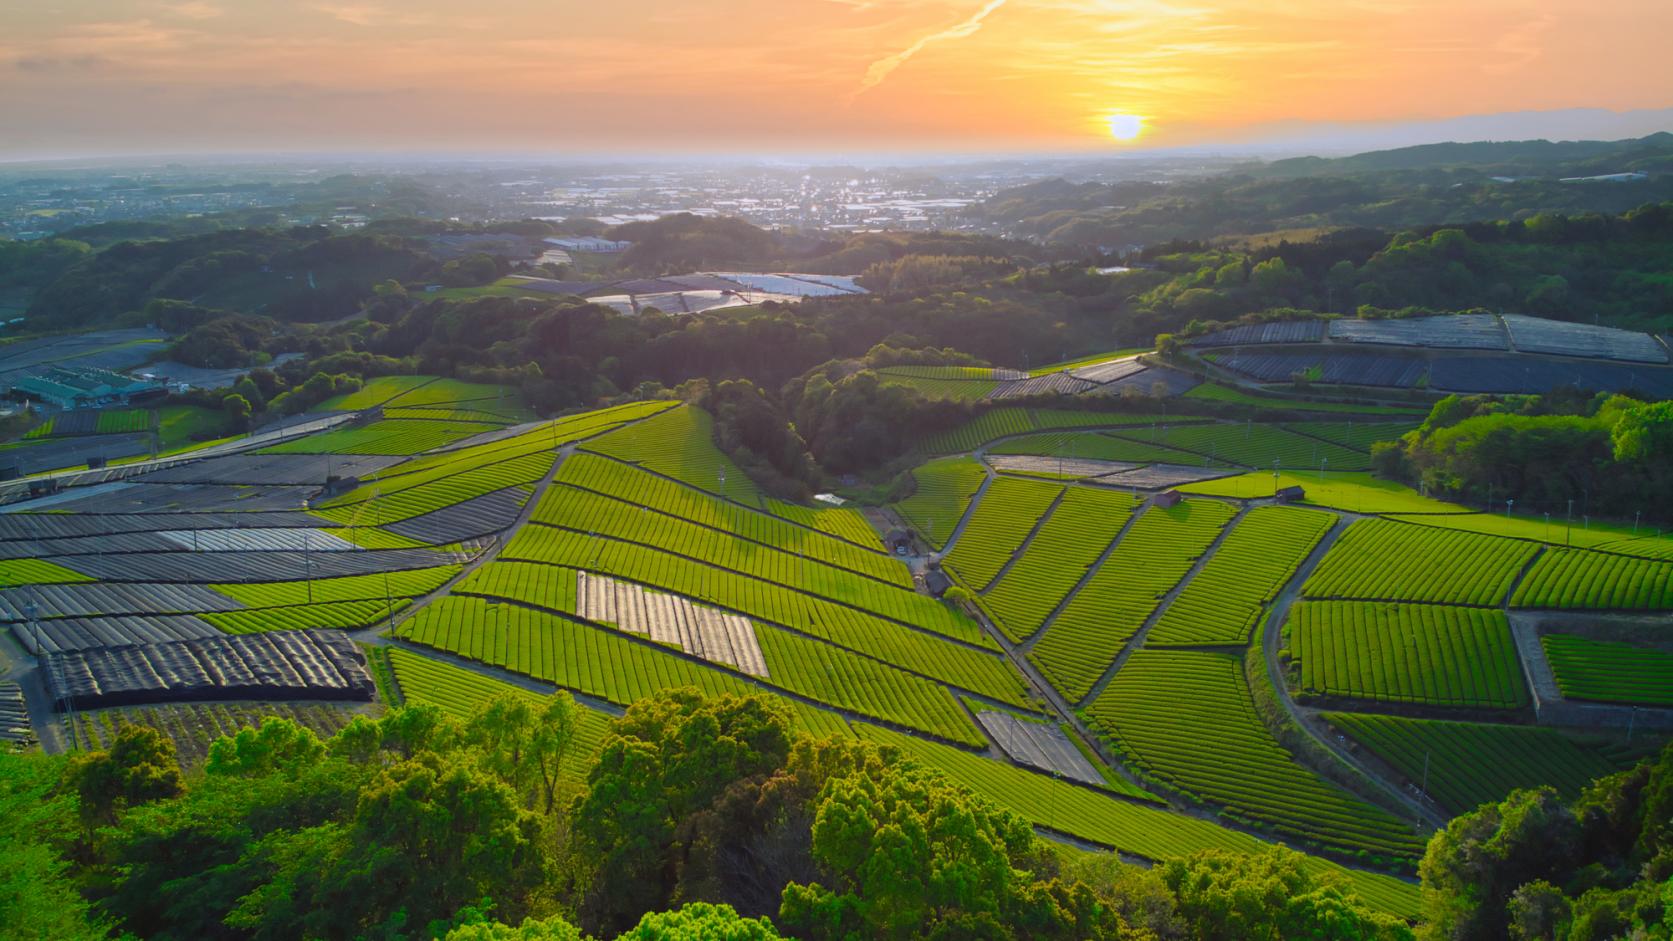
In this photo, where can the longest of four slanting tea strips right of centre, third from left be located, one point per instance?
(1113, 605)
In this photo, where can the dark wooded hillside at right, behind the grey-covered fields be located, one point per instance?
(1583, 269)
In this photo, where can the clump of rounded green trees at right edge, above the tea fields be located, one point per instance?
(1599, 455)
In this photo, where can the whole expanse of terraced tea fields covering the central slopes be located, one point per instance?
(1184, 645)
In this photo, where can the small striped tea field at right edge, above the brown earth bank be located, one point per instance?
(1573, 578)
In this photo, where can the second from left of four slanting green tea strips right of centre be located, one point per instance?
(1068, 543)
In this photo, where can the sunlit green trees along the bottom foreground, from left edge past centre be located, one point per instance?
(702, 820)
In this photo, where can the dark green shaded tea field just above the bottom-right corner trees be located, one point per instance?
(1468, 764)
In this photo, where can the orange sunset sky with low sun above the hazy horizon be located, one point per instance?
(790, 76)
